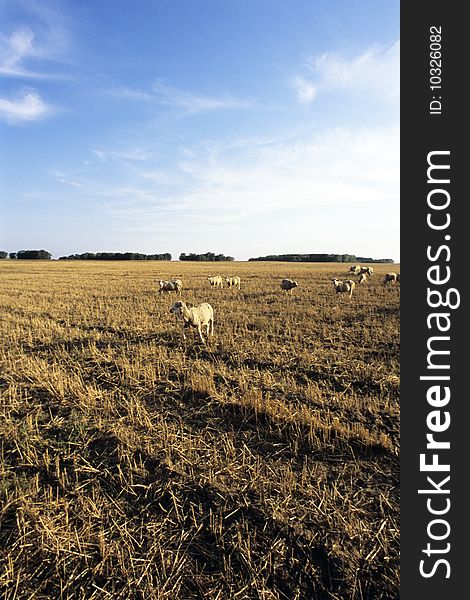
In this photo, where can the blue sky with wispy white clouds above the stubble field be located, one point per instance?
(246, 127)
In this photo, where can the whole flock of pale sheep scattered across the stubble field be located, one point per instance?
(203, 315)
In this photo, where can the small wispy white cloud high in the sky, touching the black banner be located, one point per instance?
(374, 72)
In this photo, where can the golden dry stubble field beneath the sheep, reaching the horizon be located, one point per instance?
(138, 466)
